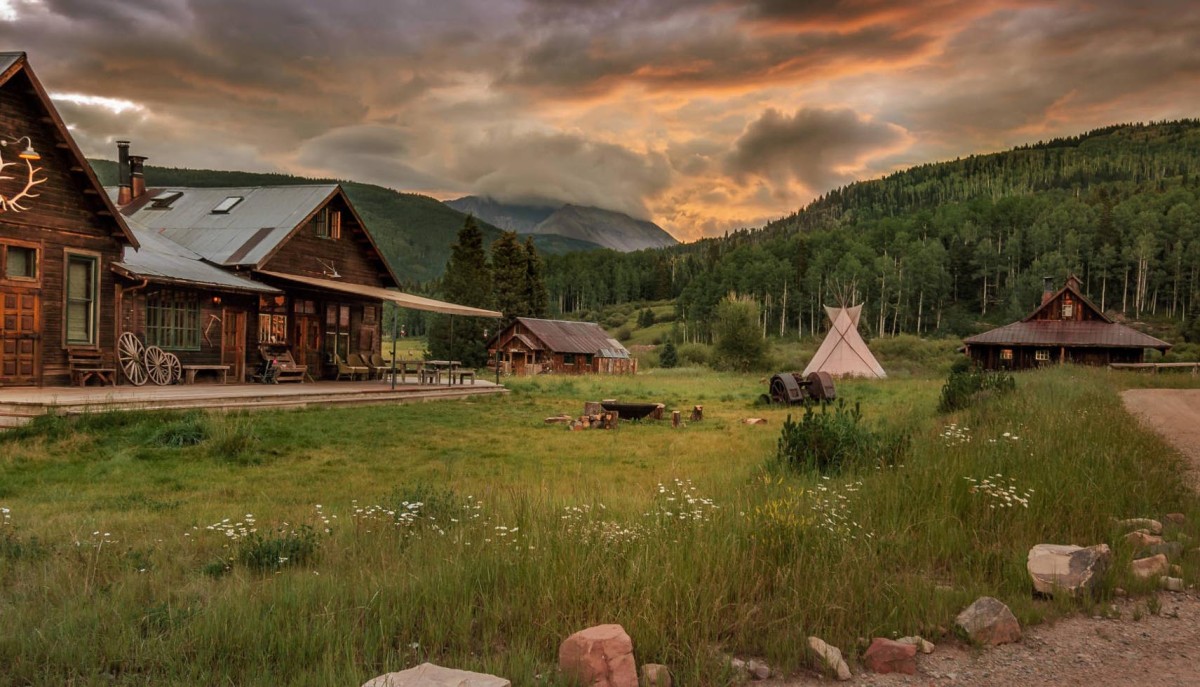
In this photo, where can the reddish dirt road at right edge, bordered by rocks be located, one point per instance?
(1132, 647)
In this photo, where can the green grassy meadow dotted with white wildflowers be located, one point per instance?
(327, 547)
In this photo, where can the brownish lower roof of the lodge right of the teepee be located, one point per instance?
(1069, 333)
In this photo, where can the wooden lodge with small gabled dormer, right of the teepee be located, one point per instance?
(1065, 328)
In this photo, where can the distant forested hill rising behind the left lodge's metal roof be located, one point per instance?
(413, 231)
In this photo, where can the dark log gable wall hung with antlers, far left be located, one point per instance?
(64, 219)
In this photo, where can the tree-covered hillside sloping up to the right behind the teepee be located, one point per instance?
(947, 247)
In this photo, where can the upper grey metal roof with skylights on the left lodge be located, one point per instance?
(243, 236)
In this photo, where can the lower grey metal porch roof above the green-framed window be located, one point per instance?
(163, 260)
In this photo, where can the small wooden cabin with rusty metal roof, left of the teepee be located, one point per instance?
(532, 347)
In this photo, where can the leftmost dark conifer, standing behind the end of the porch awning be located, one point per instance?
(467, 282)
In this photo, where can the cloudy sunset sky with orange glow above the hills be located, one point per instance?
(701, 116)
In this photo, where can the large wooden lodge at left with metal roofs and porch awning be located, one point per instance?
(219, 278)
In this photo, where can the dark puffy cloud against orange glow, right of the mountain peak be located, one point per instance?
(809, 147)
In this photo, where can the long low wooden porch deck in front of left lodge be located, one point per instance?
(22, 405)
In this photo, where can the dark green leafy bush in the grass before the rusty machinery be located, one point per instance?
(827, 441)
